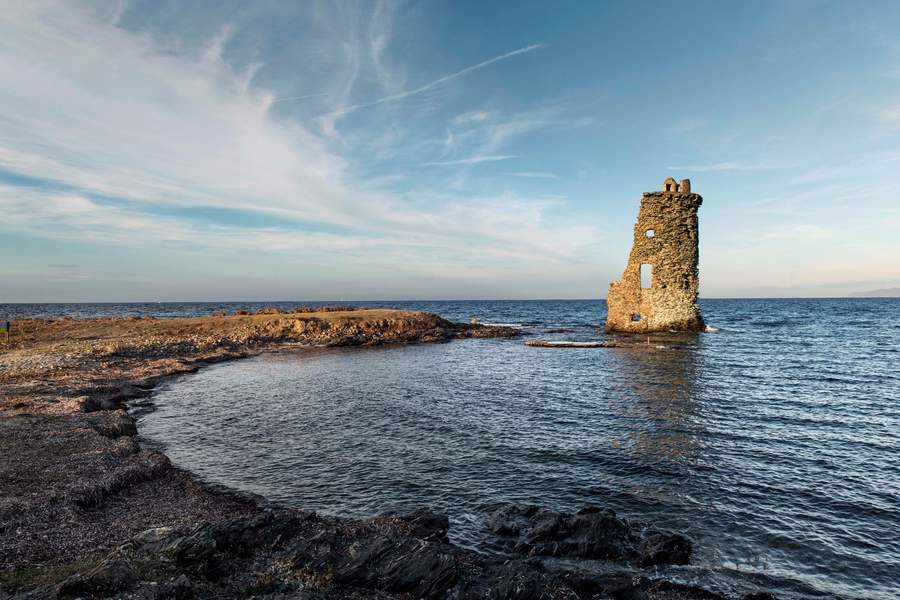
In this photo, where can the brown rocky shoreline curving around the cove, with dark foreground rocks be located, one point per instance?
(86, 512)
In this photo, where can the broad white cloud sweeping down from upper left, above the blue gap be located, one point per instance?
(168, 131)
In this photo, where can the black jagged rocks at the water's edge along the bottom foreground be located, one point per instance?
(290, 554)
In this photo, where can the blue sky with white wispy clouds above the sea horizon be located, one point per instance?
(416, 150)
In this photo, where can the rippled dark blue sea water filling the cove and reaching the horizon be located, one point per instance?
(773, 442)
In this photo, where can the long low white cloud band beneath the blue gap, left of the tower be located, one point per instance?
(503, 226)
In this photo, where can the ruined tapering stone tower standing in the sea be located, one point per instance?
(658, 290)
